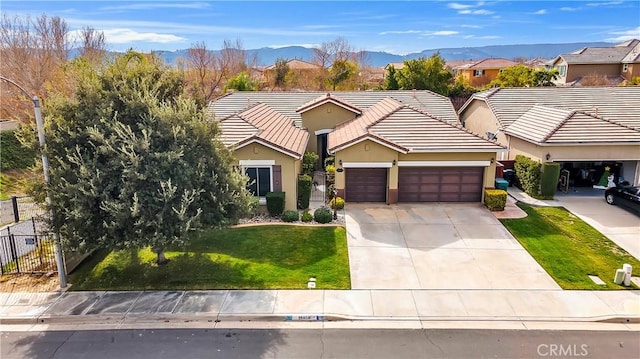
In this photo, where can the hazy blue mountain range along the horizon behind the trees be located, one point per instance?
(268, 56)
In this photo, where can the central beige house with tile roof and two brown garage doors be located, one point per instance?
(389, 146)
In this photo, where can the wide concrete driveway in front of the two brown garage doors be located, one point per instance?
(436, 246)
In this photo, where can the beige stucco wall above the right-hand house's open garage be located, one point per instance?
(573, 153)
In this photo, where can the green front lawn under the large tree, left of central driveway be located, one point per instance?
(258, 257)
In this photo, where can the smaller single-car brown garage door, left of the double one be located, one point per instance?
(366, 185)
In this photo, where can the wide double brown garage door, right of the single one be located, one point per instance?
(440, 184)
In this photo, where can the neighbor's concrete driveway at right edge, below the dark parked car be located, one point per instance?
(618, 224)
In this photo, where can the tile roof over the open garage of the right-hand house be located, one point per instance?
(553, 125)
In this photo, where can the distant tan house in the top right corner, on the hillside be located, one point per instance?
(614, 64)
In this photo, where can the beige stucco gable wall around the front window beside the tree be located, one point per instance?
(290, 168)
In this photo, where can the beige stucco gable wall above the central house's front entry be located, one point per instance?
(326, 116)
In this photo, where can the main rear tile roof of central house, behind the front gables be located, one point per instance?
(288, 102)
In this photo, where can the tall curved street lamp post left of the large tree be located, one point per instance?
(62, 275)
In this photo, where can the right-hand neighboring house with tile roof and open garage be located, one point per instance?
(582, 128)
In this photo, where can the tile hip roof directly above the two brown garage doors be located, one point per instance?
(408, 130)
